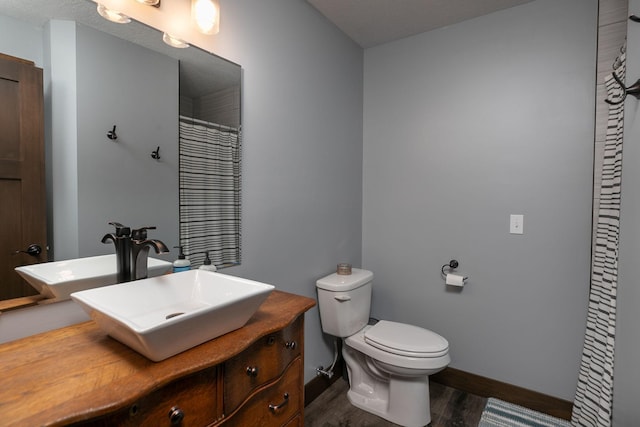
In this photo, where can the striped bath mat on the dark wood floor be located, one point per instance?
(502, 414)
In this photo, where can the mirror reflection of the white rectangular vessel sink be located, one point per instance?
(58, 279)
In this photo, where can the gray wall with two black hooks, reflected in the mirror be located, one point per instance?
(136, 89)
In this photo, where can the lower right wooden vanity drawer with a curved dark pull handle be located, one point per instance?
(278, 404)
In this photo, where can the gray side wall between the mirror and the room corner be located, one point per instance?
(302, 149)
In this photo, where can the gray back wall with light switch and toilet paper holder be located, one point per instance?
(464, 126)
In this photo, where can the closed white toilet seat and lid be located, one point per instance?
(406, 340)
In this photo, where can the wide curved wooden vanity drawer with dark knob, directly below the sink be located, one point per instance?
(195, 399)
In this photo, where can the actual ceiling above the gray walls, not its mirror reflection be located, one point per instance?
(373, 22)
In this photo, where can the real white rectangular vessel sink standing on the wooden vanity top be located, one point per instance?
(163, 316)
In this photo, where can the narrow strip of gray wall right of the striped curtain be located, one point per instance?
(626, 411)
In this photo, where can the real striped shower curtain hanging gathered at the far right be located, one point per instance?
(594, 395)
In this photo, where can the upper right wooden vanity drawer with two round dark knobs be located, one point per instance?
(262, 362)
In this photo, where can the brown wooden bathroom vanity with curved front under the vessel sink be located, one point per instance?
(78, 375)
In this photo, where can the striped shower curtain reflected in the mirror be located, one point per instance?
(209, 192)
